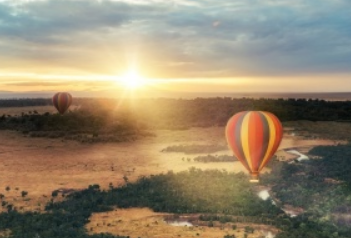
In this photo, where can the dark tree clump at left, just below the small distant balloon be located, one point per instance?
(82, 125)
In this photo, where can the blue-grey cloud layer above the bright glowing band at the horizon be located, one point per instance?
(216, 38)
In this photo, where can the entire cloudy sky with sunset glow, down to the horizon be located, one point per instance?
(89, 46)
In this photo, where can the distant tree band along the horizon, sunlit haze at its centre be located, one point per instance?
(208, 111)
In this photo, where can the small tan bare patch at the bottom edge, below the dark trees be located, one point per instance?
(143, 222)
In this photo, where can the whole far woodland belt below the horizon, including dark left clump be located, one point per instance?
(121, 120)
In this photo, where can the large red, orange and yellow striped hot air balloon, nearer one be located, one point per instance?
(254, 136)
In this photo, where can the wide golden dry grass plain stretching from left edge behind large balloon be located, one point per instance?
(41, 165)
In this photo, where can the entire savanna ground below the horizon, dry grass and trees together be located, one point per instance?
(112, 168)
